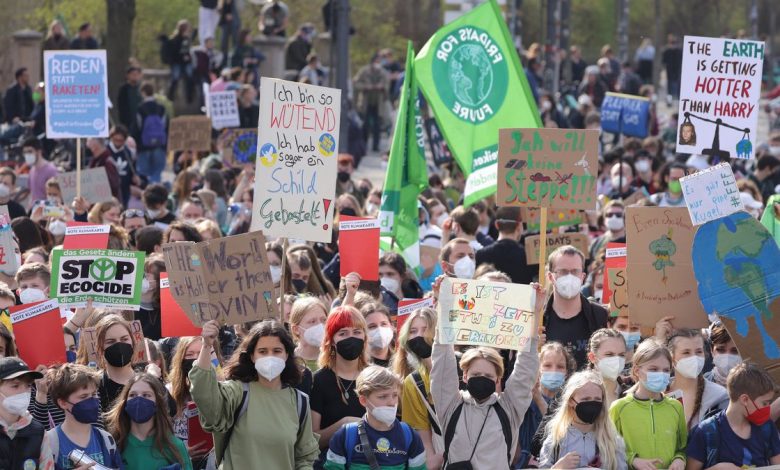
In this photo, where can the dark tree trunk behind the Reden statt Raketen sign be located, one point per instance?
(121, 14)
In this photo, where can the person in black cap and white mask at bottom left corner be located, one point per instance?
(21, 437)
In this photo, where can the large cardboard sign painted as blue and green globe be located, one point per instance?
(737, 266)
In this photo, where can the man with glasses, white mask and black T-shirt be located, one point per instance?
(569, 317)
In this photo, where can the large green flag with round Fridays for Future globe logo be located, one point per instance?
(472, 78)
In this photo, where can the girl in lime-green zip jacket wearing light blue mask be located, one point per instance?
(653, 426)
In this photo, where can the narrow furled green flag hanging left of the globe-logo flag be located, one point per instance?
(406, 174)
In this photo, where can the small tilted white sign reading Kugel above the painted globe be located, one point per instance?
(711, 194)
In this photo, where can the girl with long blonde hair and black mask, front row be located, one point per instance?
(580, 433)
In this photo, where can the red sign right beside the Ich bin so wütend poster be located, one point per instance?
(359, 247)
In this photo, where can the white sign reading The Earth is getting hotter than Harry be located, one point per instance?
(719, 97)
